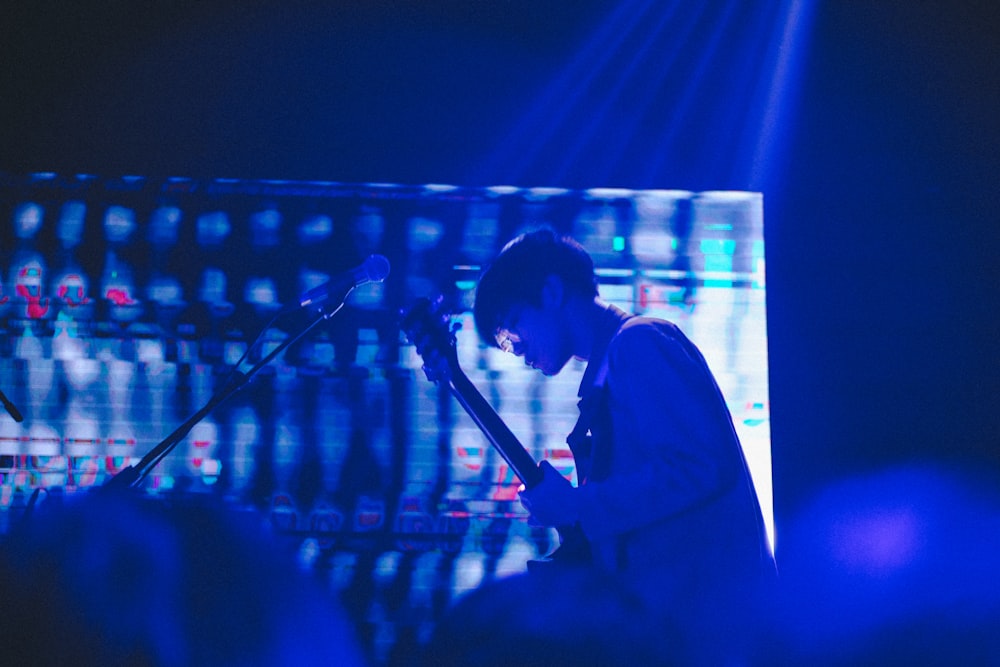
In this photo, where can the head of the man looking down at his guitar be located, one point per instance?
(521, 297)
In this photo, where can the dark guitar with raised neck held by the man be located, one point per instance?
(428, 328)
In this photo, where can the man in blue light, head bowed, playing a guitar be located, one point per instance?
(664, 496)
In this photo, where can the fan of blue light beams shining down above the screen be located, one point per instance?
(697, 91)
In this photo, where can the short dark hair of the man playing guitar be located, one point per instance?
(518, 273)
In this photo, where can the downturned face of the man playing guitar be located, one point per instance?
(535, 333)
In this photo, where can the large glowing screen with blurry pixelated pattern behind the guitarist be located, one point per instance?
(126, 302)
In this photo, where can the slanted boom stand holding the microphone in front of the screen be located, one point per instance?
(133, 476)
